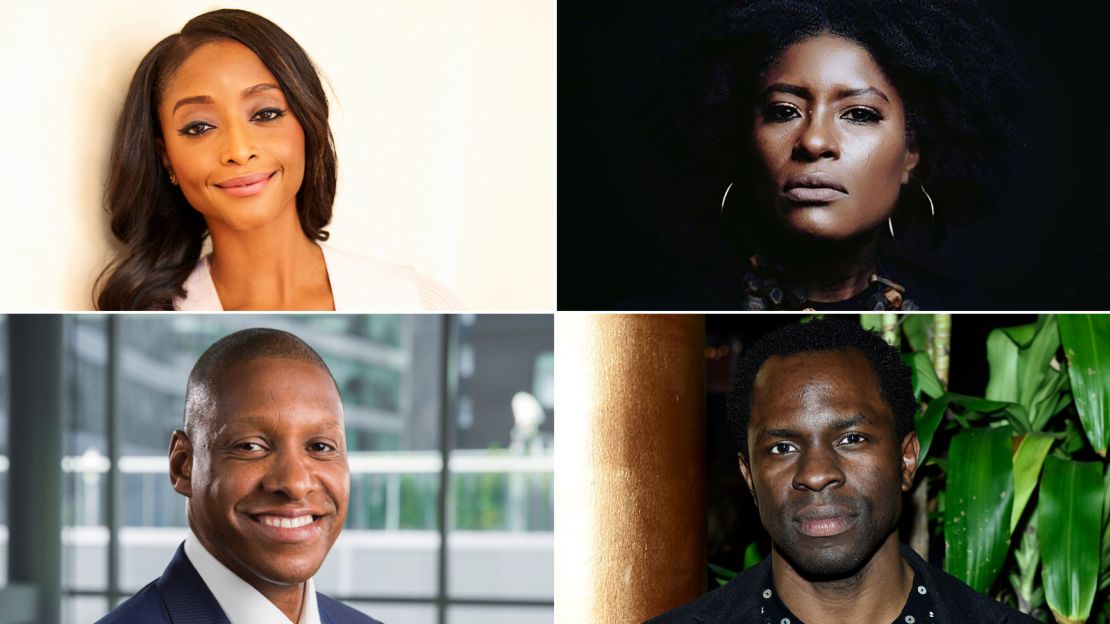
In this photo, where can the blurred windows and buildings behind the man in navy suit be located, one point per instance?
(448, 418)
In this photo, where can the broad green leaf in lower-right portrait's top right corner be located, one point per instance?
(1087, 344)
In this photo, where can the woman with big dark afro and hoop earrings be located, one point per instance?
(834, 137)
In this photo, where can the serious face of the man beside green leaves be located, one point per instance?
(825, 465)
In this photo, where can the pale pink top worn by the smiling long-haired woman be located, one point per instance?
(359, 285)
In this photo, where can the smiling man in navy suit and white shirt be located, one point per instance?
(263, 460)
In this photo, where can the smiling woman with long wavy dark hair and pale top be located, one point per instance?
(225, 134)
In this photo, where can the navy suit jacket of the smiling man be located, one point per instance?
(180, 597)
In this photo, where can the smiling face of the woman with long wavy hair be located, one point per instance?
(230, 138)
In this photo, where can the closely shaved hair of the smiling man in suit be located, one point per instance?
(234, 350)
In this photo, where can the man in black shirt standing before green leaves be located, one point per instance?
(823, 414)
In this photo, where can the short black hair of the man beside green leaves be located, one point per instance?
(896, 386)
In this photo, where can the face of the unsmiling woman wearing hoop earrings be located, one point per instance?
(831, 132)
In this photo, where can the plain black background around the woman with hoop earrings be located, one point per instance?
(621, 247)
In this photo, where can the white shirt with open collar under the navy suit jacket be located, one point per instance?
(240, 602)
